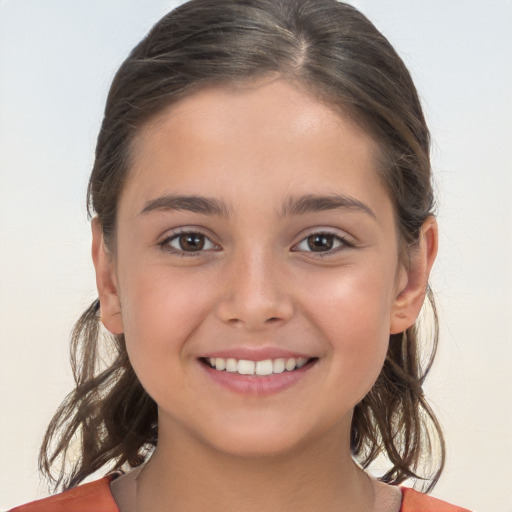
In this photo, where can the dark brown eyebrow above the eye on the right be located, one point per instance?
(315, 203)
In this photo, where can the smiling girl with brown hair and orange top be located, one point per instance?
(263, 234)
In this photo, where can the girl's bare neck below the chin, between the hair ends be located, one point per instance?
(185, 475)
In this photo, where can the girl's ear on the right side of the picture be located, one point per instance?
(413, 280)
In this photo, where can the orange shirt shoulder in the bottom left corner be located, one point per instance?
(91, 497)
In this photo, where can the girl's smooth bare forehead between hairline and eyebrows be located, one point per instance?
(261, 135)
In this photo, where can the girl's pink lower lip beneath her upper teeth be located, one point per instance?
(257, 385)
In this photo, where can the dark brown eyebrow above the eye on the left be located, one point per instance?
(195, 204)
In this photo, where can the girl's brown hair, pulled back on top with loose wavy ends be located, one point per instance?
(337, 54)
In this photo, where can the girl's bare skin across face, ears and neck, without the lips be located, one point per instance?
(258, 284)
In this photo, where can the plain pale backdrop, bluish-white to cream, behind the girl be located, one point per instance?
(57, 58)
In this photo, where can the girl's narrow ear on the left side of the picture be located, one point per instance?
(106, 281)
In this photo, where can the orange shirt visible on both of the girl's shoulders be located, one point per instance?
(96, 497)
